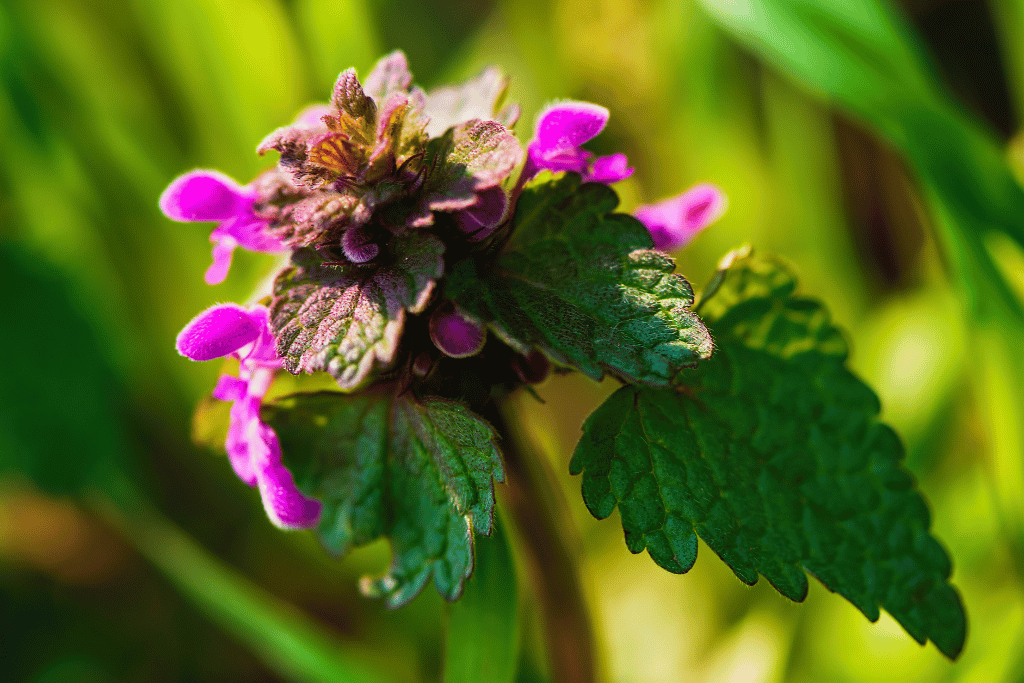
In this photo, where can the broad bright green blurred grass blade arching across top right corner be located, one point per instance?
(863, 58)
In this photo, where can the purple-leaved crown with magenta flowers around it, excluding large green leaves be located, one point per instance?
(375, 196)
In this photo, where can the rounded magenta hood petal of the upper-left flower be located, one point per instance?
(203, 195)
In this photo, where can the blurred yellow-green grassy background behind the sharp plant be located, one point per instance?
(873, 145)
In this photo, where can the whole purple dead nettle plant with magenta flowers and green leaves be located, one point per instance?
(438, 264)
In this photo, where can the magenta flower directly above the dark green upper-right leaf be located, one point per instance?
(561, 132)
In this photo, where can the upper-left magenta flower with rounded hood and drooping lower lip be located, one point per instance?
(211, 196)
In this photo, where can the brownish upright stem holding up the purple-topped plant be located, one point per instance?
(538, 510)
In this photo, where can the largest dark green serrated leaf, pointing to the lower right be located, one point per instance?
(773, 453)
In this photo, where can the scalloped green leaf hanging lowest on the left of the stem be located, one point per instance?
(420, 474)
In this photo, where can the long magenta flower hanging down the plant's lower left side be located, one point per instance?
(252, 446)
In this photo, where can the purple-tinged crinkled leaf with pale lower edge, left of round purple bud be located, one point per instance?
(349, 319)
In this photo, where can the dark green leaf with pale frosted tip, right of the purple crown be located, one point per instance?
(584, 285)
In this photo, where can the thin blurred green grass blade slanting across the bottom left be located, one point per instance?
(288, 642)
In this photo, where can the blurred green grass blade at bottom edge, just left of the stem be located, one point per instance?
(483, 642)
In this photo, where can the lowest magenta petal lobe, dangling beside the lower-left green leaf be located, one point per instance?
(285, 504)
